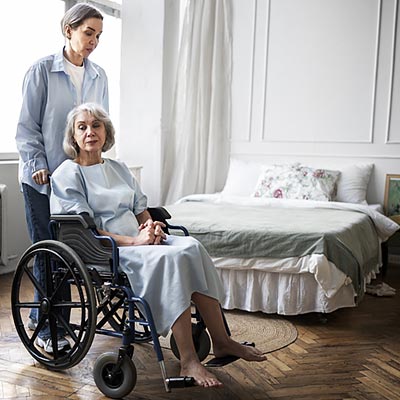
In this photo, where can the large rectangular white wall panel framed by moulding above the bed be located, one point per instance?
(321, 70)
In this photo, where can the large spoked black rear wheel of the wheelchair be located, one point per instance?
(64, 301)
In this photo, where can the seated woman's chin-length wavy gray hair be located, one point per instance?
(70, 146)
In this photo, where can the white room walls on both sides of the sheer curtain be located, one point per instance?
(313, 80)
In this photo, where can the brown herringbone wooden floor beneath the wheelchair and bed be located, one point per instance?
(354, 354)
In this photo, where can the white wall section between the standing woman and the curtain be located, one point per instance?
(145, 45)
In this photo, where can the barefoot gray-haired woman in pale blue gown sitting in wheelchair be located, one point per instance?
(168, 275)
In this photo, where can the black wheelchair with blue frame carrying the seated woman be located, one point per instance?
(85, 293)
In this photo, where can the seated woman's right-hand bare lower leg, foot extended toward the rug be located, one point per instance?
(223, 345)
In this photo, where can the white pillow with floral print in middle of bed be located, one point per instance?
(296, 181)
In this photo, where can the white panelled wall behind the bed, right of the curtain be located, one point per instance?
(318, 81)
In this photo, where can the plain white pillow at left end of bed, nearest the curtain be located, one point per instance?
(242, 177)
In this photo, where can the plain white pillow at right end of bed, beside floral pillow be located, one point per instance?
(353, 183)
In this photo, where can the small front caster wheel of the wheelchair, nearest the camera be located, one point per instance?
(115, 384)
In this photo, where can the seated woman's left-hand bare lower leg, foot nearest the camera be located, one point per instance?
(190, 364)
